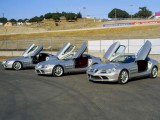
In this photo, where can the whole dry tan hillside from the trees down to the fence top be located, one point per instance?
(48, 29)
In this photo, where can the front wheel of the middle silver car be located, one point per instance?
(58, 71)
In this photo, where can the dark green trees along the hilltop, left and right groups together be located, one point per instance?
(143, 12)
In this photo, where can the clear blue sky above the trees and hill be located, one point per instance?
(21, 9)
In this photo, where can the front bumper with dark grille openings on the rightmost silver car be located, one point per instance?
(113, 77)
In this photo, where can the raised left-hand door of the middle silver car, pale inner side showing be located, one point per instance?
(65, 51)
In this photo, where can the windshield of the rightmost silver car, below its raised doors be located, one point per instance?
(125, 59)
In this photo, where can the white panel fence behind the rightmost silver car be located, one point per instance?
(132, 45)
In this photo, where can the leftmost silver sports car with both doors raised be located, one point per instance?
(29, 59)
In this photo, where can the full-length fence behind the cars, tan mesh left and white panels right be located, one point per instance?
(55, 43)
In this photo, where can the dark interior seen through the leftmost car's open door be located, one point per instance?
(39, 58)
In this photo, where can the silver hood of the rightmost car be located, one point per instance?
(105, 65)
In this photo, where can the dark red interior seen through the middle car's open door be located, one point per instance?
(81, 62)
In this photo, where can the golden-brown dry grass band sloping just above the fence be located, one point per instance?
(149, 31)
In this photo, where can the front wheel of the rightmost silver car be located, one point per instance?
(123, 77)
